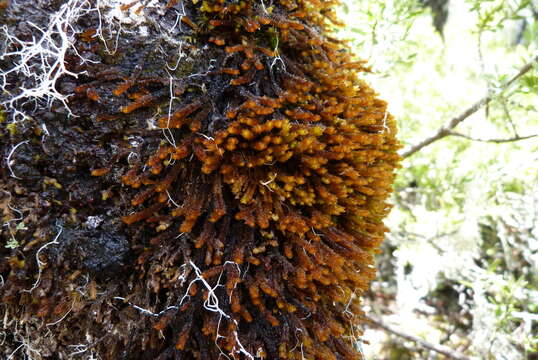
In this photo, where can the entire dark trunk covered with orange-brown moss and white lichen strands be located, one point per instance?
(186, 180)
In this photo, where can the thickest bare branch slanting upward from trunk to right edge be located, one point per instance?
(445, 130)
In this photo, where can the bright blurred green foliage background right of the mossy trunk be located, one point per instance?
(459, 267)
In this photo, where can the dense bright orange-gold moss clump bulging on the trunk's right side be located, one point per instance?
(293, 183)
